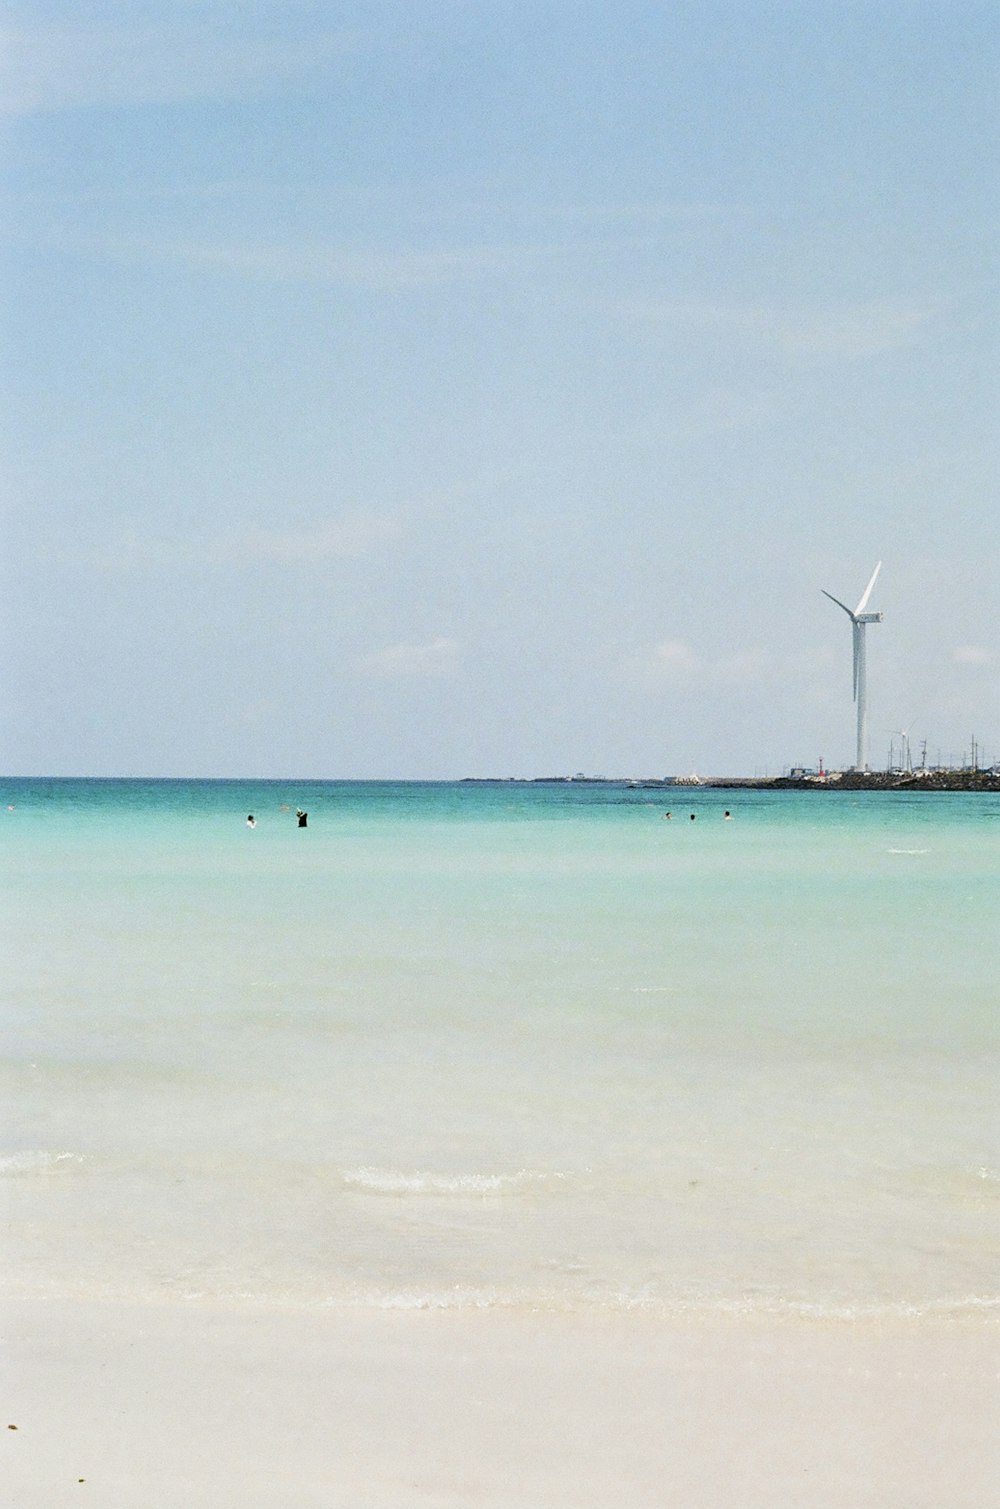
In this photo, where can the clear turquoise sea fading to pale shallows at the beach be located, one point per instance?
(518, 1045)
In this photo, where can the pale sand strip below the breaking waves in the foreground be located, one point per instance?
(167, 1409)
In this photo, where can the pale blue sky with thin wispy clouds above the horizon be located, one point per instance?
(492, 387)
